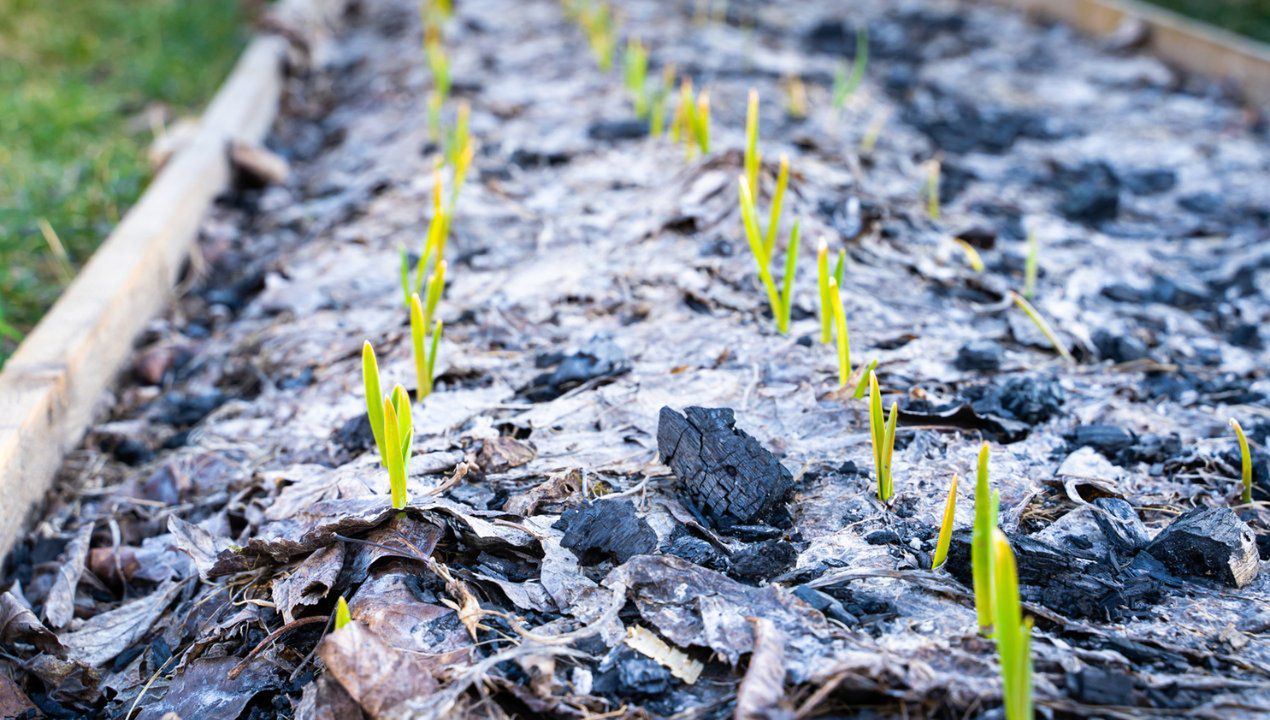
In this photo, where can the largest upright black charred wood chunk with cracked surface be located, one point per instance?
(723, 470)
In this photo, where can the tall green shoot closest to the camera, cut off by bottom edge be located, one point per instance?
(1013, 633)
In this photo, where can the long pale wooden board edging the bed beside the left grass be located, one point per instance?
(51, 387)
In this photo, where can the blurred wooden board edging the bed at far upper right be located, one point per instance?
(1193, 46)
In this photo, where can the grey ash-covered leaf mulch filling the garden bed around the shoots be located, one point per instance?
(549, 563)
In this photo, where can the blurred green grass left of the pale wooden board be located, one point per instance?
(77, 78)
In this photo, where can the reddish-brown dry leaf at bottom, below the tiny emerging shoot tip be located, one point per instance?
(378, 676)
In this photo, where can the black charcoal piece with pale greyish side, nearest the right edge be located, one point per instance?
(1208, 543)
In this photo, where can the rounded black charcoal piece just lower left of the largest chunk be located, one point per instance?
(606, 530)
